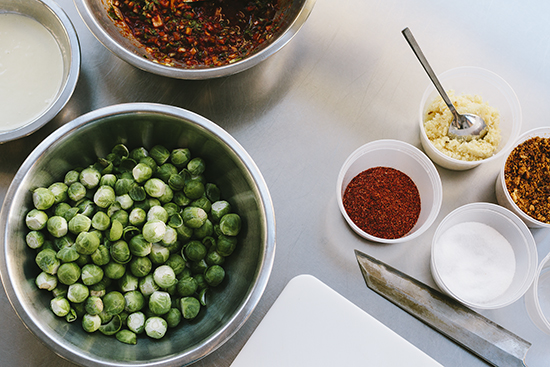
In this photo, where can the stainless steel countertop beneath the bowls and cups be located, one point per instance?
(347, 78)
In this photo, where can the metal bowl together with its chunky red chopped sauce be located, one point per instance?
(194, 39)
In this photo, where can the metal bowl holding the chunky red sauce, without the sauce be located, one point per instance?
(124, 45)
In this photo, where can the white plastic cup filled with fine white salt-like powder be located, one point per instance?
(484, 256)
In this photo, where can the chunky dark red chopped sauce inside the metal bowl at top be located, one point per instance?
(201, 33)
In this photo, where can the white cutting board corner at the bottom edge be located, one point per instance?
(312, 325)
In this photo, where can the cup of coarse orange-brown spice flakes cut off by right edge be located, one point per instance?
(523, 183)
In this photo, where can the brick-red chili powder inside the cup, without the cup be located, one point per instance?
(383, 201)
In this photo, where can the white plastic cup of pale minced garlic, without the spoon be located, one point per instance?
(472, 90)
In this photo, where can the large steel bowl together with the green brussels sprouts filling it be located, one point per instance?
(137, 234)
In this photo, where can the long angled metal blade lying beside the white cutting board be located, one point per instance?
(466, 327)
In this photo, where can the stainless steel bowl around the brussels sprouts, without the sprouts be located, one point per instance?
(79, 143)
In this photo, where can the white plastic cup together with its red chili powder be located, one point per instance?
(389, 191)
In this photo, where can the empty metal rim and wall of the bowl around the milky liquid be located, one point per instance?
(51, 16)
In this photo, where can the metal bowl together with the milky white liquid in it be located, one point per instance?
(39, 67)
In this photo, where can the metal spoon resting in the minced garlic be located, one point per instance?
(463, 126)
